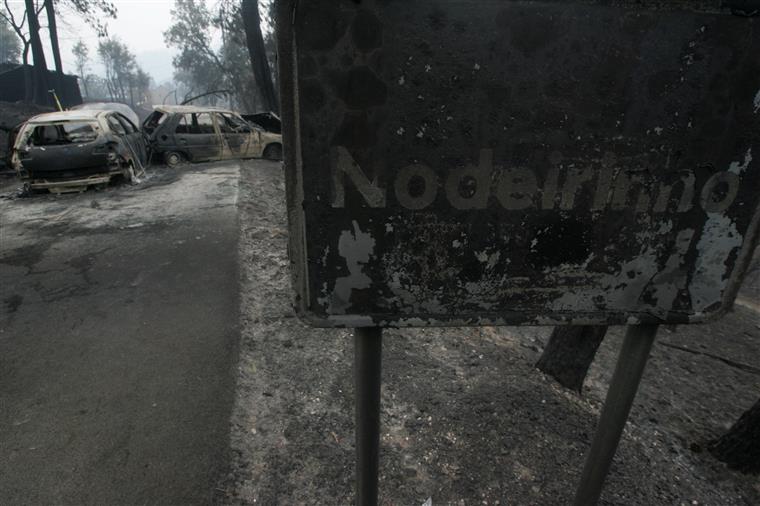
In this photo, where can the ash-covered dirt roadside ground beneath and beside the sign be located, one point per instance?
(465, 416)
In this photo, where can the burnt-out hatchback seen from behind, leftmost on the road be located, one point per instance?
(67, 149)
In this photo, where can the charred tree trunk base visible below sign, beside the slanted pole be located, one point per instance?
(569, 353)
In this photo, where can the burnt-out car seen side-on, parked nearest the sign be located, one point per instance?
(180, 133)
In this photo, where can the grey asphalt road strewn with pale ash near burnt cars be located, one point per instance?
(118, 338)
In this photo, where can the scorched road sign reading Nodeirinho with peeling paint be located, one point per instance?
(523, 162)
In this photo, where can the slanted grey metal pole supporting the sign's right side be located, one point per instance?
(620, 394)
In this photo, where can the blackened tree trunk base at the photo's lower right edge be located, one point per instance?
(739, 448)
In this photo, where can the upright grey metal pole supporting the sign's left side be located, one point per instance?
(368, 344)
